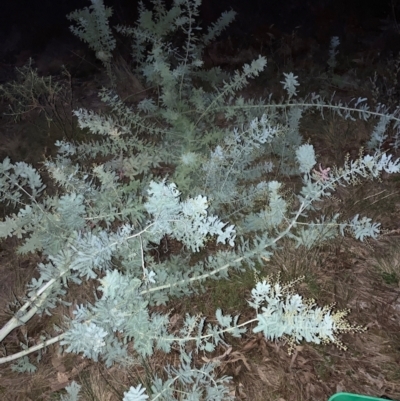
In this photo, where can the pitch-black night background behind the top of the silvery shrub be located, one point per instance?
(40, 29)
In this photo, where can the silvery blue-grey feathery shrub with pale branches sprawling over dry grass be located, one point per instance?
(106, 218)
